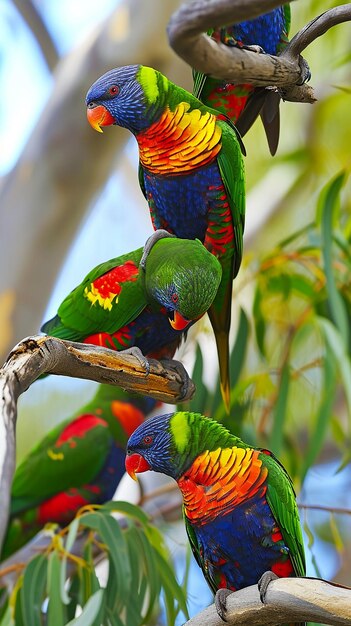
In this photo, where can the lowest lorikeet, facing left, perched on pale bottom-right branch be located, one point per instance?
(239, 503)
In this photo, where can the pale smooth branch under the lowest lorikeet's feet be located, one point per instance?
(287, 600)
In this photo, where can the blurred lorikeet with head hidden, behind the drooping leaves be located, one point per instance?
(81, 461)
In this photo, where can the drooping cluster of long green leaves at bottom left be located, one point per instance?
(139, 572)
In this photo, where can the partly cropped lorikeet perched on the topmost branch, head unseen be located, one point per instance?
(243, 103)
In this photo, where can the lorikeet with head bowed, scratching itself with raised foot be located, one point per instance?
(145, 299)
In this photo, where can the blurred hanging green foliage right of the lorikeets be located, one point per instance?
(294, 336)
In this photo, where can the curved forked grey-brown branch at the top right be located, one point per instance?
(186, 32)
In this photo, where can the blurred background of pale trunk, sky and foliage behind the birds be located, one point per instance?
(70, 199)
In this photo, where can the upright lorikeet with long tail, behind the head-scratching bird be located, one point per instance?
(191, 172)
